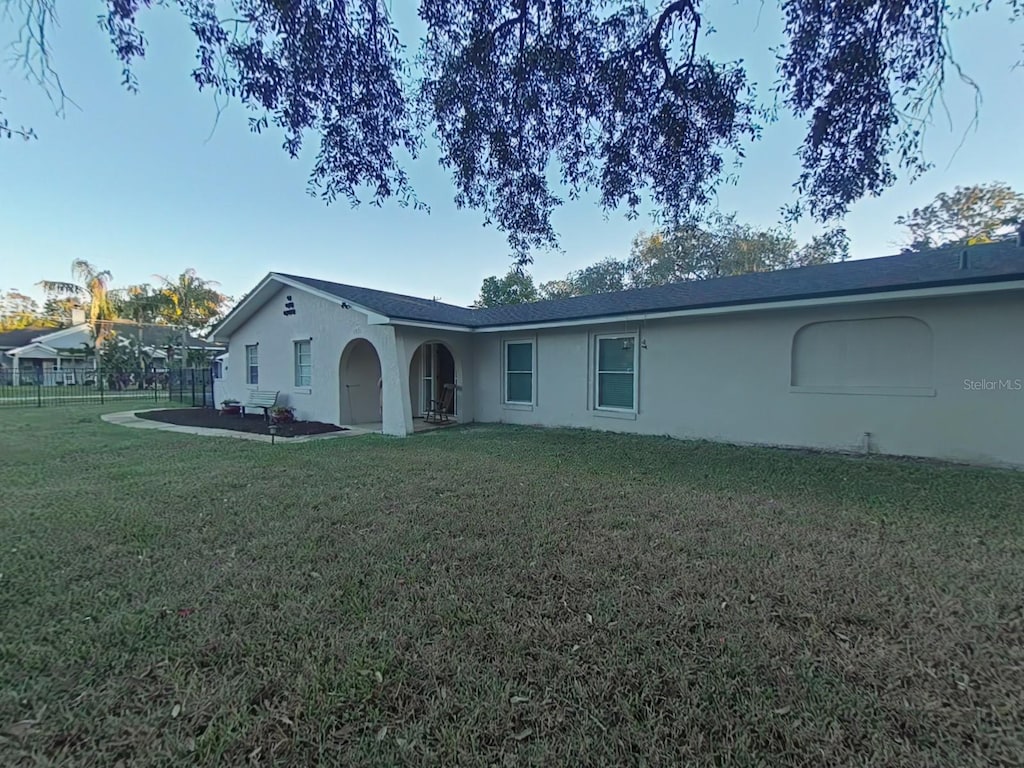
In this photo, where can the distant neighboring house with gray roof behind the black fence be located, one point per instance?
(55, 357)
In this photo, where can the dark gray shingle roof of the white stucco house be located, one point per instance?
(988, 264)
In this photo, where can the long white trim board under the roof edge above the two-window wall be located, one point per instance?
(917, 293)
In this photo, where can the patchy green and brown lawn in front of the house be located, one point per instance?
(499, 596)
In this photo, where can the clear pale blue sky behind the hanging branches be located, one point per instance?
(138, 185)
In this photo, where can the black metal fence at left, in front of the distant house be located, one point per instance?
(192, 387)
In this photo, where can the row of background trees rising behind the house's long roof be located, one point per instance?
(720, 246)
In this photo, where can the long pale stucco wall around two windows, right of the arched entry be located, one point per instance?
(731, 378)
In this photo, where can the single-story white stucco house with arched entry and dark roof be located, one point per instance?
(918, 355)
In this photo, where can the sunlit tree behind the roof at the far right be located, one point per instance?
(969, 216)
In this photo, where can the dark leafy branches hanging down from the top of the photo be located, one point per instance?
(613, 97)
